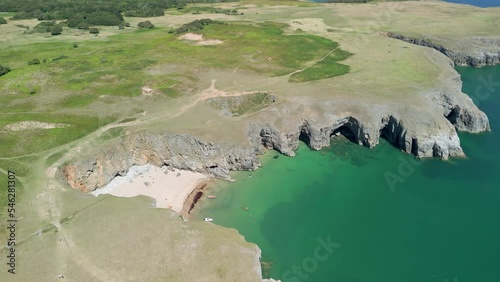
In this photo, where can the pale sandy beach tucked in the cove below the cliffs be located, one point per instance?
(169, 190)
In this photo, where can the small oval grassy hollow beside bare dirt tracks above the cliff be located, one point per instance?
(244, 104)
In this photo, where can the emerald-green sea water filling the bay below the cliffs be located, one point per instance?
(442, 223)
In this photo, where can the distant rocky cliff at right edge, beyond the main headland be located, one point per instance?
(487, 53)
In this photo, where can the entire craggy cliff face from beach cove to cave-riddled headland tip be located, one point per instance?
(418, 135)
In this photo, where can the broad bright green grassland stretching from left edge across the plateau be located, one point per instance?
(115, 66)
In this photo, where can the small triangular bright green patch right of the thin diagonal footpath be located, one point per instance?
(326, 68)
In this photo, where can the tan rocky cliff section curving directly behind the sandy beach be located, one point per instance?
(177, 151)
